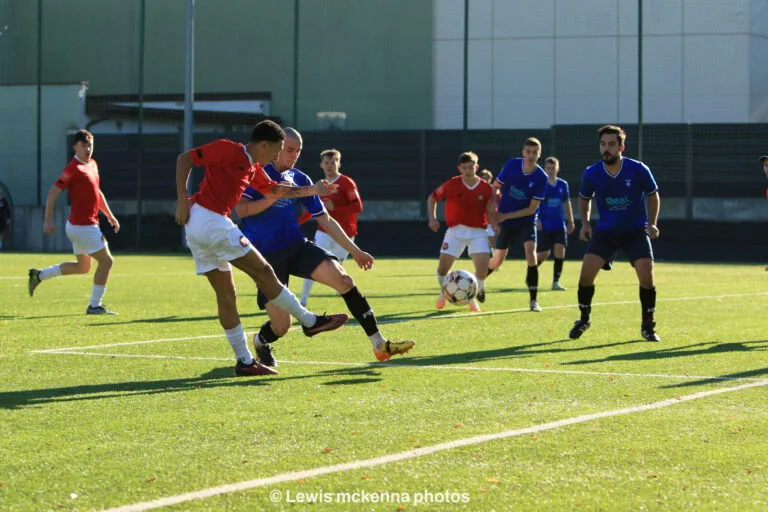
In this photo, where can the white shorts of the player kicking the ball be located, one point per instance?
(214, 240)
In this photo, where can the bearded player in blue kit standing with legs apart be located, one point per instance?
(620, 186)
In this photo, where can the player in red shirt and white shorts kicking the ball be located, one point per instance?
(215, 241)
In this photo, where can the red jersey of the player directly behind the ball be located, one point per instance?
(464, 205)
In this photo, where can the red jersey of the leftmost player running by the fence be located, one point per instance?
(82, 181)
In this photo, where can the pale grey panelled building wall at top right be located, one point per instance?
(536, 63)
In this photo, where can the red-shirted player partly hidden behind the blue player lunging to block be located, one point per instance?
(343, 206)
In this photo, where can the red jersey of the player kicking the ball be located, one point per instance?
(229, 170)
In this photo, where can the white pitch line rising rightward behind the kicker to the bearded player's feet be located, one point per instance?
(414, 319)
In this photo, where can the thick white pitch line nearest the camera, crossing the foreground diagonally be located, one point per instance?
(417, 452)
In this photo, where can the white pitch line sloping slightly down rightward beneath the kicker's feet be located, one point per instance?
(419, 367)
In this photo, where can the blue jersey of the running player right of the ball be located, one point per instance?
(519, 188)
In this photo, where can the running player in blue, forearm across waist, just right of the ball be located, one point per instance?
(522, 185)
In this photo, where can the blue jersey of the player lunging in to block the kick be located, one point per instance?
(277, 226)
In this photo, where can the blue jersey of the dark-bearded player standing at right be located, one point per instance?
(621, 198)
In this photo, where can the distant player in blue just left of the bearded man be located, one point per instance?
(555, 220)
